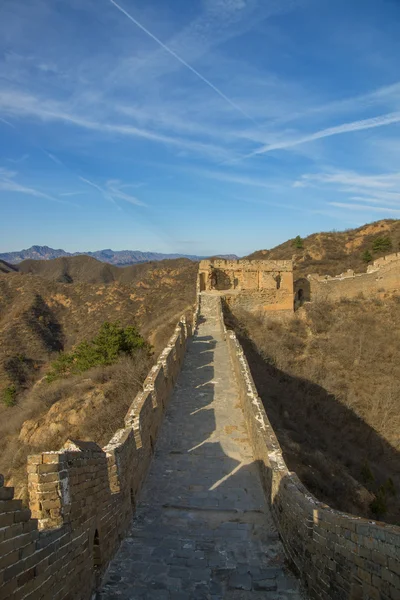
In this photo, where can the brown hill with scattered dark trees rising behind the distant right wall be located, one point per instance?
(331, 253)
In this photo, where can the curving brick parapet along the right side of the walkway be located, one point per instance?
(337, 555)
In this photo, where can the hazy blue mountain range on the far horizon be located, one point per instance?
(113, 257)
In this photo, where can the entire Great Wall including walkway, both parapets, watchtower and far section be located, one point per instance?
(161, 511)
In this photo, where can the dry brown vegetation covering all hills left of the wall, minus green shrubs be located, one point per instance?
(41, 316)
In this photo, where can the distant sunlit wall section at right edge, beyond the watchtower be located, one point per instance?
(382, 276)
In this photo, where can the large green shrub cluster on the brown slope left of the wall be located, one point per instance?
(111, 342)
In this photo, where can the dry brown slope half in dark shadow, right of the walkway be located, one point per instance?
(329, 379)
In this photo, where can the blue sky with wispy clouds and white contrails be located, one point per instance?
(196, 127)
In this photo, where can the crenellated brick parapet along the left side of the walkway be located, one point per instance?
(82, 497)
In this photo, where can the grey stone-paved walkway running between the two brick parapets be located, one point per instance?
(202, 528)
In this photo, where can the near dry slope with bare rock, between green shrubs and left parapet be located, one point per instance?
(90, 406)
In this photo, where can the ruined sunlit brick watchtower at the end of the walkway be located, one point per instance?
(250, 284)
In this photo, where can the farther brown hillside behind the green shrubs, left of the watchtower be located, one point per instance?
(40, 315)
